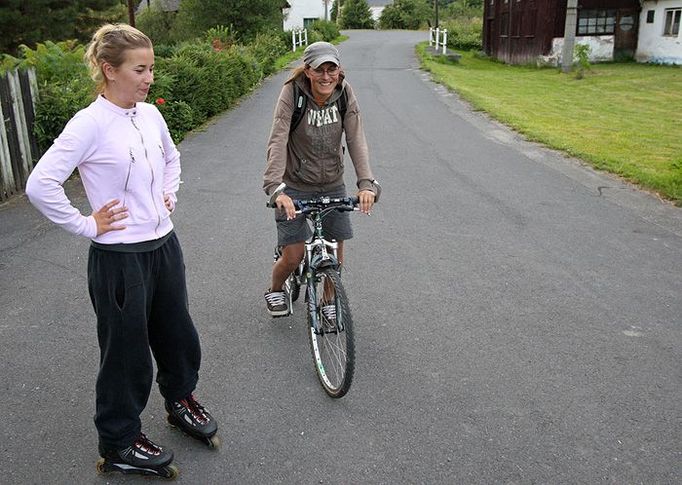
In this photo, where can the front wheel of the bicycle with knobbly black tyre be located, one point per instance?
(332, 343)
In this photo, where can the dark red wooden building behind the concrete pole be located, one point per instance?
(522, 31)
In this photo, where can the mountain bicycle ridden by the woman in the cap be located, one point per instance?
(328, 311)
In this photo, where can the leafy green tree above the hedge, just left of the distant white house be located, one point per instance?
(244, 17)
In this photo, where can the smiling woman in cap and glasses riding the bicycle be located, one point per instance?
(308, 157)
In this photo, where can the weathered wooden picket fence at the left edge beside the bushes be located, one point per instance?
(18, 147)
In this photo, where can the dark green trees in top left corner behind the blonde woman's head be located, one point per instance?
(30, 22)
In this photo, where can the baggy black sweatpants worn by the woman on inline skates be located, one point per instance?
(141, 303)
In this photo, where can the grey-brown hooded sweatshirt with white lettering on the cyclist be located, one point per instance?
(311, 159)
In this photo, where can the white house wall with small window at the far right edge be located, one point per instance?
(652, 45)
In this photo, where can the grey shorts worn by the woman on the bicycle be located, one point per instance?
(336, 225)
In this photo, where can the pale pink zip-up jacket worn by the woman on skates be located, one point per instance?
(124, 154)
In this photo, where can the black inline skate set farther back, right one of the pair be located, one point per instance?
(193, 419)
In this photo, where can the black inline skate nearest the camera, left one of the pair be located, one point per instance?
(143, 457)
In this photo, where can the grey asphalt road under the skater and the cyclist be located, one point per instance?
(518, 316)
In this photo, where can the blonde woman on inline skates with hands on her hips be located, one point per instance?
(130, 169)
